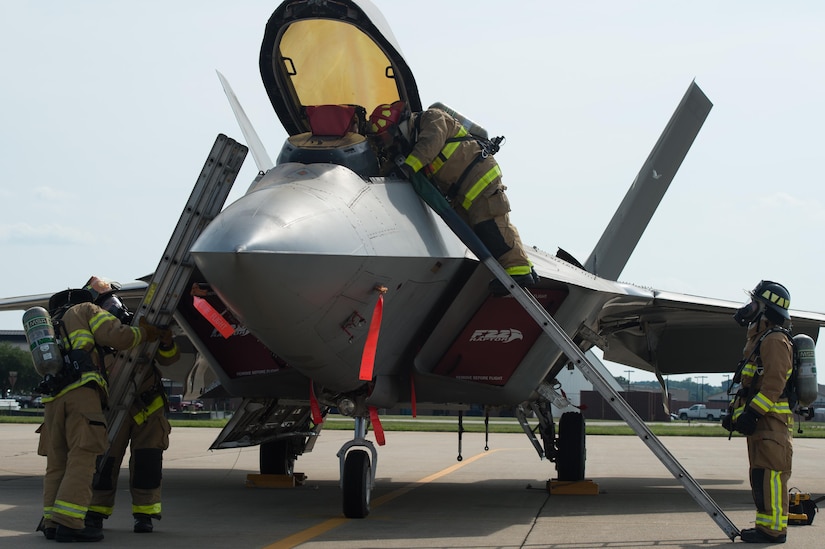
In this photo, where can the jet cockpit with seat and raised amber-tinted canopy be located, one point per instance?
(326, 65)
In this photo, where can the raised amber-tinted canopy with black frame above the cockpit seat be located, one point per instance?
(320, 52)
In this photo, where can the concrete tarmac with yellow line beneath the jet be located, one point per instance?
(424, 497)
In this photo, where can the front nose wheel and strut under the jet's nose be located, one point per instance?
(357, 472)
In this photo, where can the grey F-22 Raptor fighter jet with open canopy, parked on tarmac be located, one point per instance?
(322, 244)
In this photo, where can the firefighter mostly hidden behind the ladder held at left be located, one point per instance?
(146, 430)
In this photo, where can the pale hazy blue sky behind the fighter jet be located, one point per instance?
(109, 109)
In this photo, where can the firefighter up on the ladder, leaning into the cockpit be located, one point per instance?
(464, 170)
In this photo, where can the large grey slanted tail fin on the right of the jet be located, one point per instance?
(619, 239)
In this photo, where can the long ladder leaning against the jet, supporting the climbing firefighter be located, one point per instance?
(595, 374)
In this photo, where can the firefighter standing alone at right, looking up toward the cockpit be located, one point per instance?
(761, 411)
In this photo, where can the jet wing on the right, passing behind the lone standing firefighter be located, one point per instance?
(680, 334)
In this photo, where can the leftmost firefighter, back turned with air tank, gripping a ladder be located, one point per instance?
(73, 433)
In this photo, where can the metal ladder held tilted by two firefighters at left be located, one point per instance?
(172, 275)
